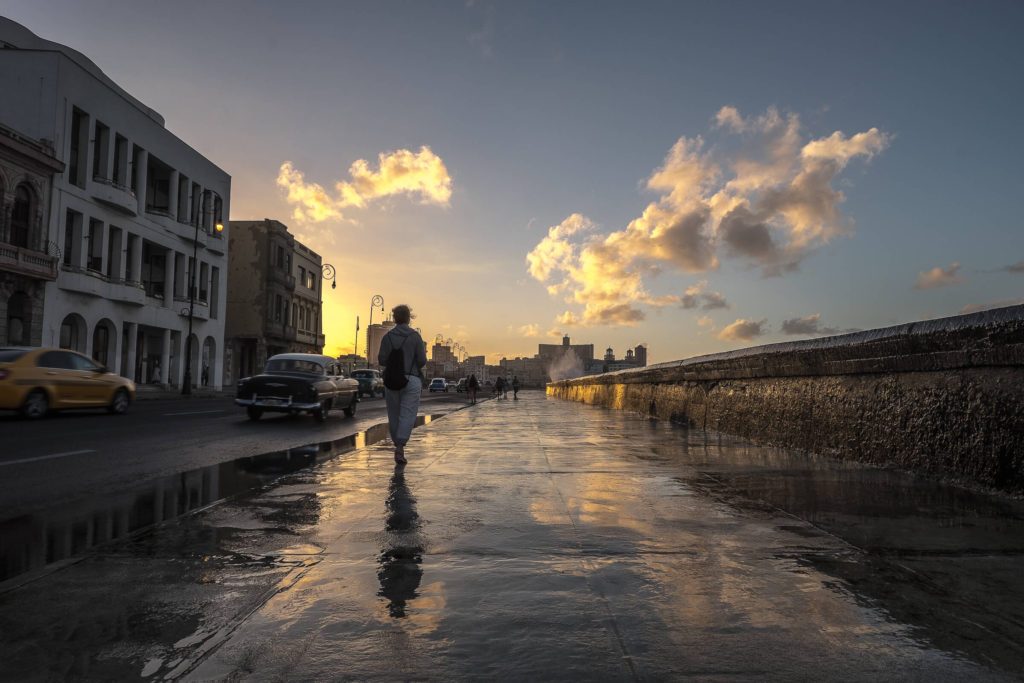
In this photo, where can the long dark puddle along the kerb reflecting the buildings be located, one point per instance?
(34, 541)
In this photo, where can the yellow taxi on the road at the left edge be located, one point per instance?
(35, 381)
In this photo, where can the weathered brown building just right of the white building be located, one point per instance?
(274, 302)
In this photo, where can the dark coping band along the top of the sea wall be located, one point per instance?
(989, 338)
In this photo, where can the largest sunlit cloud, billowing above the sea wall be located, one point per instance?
(773, 206)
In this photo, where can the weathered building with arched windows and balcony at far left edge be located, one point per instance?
(28, 258)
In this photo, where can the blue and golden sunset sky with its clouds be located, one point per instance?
(696, 177)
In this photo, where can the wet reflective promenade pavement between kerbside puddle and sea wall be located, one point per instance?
(544, 540)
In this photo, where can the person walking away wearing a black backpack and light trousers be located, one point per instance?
(403, 404)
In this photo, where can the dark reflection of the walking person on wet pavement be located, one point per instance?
(400, 572)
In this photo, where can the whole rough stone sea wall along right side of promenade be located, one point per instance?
(943, 398)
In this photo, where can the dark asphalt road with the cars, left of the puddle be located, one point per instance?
(84, 454)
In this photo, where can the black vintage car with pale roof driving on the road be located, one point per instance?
(298, 383)
